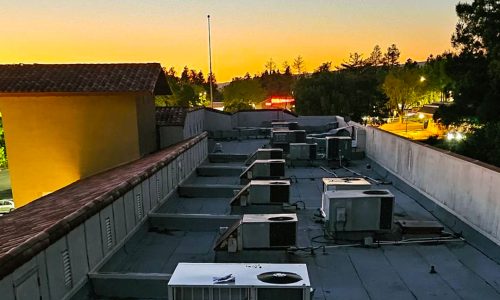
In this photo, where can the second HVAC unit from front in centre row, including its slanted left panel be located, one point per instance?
(260, 231)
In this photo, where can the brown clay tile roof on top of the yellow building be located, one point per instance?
(83, 78)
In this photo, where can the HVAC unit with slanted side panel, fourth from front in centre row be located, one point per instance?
(270, 168)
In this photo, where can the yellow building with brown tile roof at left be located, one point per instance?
(66, 122)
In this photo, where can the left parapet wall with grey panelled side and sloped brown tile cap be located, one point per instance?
(100, 213)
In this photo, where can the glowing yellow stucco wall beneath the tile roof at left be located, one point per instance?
(56, 140)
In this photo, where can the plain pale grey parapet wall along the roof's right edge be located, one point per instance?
(468, 189)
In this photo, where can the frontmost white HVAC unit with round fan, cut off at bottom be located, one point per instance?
(239, 281)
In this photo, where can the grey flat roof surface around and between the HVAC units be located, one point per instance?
(339, 271)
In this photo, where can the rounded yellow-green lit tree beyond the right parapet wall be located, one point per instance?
(403, 87)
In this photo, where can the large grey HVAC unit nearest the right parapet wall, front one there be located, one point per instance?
(356, 210)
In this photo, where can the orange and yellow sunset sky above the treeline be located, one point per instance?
(245, 34)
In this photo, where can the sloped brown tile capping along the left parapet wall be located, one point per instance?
(32, 228)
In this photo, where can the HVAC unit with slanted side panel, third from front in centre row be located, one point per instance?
(265, 192)
